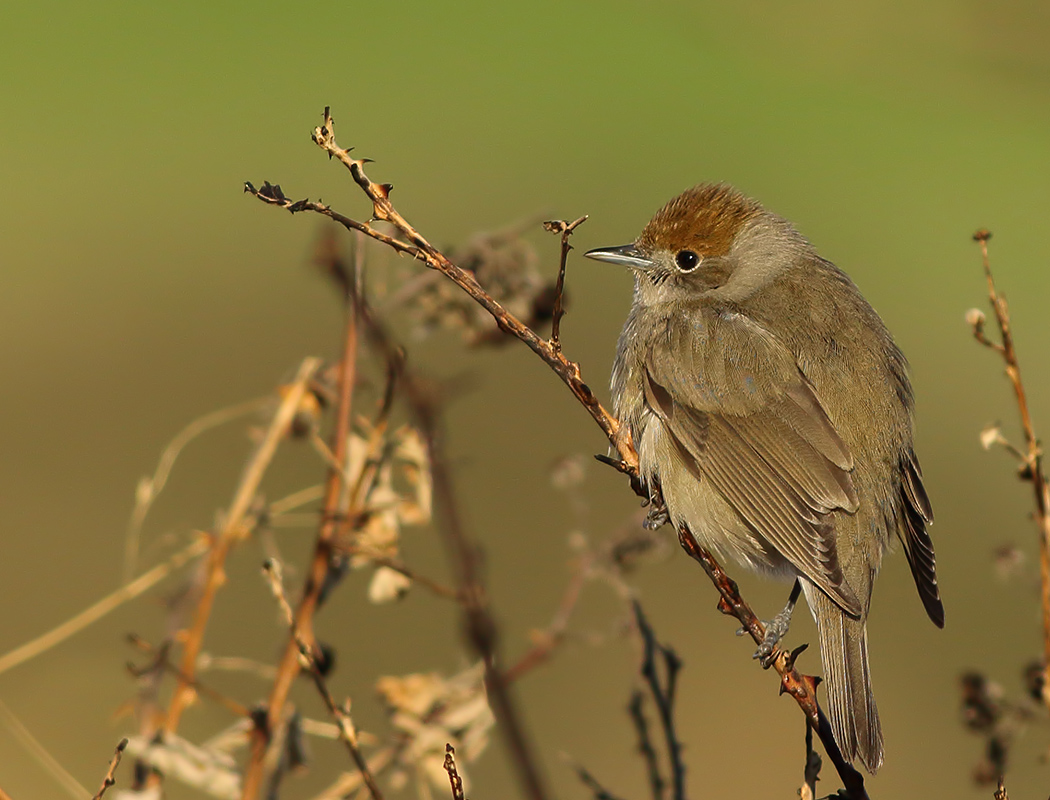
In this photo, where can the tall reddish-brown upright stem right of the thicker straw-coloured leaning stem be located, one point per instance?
(289, 666)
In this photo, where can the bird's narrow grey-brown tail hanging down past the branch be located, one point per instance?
(848, 680)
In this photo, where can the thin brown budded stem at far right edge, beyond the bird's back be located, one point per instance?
(1033, 455)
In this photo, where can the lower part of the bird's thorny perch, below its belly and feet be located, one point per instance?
(803, 688)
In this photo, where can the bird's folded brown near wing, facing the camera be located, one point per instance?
(744, 416)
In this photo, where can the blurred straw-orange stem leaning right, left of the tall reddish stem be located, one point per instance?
(233, 533)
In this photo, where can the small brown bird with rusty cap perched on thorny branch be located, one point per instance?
(772, 414)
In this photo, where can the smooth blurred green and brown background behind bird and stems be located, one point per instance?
(142, 289)
